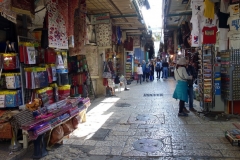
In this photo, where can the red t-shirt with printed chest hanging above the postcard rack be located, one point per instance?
(209, 35)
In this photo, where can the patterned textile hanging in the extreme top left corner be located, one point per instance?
(6, 12)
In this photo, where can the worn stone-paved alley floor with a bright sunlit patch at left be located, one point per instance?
(118, 127)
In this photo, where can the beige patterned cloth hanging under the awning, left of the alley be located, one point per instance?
(104, 35)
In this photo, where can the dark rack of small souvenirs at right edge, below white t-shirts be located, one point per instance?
(230, 71)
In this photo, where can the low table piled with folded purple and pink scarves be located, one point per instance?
(46, 119)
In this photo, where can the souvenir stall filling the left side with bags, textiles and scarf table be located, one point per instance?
(45, 80)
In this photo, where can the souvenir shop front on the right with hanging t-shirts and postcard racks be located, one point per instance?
(210, 38)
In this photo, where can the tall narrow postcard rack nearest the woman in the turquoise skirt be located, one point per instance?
(206, 77)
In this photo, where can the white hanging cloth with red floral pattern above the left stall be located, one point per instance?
(57, 23)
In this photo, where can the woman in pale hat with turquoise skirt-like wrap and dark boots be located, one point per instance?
(181, 90)
